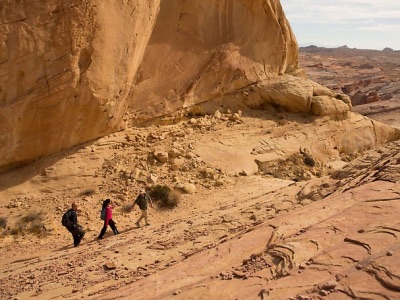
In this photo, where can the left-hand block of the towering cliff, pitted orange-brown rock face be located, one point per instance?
(65, 71)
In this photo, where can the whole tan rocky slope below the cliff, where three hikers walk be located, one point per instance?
(271, 206)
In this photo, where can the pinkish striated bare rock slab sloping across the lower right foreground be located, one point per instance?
(344, 246)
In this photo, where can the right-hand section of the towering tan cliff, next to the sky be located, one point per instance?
(203, 49)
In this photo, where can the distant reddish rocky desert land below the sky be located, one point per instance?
(366, 76)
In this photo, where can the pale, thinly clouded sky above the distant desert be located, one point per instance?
(362, 24)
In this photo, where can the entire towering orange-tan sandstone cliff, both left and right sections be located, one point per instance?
(67, 70)
